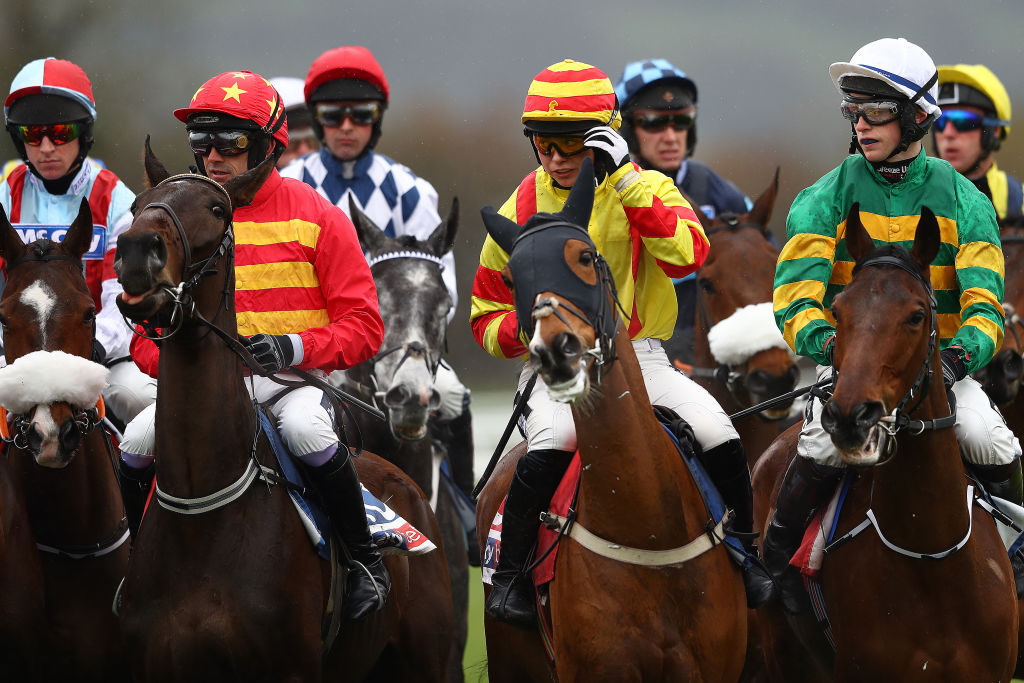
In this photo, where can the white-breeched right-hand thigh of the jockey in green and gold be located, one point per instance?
(984, 436)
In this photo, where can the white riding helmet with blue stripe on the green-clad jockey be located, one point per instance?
(898, 71)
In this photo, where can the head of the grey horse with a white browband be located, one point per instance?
(415, 304)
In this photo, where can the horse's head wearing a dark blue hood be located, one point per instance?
(561, 285)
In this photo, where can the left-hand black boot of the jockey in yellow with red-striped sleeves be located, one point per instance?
(537, 477)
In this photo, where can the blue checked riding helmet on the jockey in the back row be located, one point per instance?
(655, 84)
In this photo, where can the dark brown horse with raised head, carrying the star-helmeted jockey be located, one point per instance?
(238, 593)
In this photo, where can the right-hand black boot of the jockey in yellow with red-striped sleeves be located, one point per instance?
(727, 464)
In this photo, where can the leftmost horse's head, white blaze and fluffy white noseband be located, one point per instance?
(50, 321)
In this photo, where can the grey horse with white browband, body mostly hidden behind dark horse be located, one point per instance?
(400, 380)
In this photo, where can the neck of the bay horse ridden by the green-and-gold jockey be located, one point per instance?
(920, 494)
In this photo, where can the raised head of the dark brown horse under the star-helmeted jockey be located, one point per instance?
(182, 227)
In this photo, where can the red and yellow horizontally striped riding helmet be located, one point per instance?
(571, 97)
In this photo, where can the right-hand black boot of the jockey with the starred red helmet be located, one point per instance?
(368, 584)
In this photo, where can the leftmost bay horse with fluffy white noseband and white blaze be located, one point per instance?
(60, 461)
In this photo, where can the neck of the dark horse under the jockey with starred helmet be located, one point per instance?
(205, 420)
